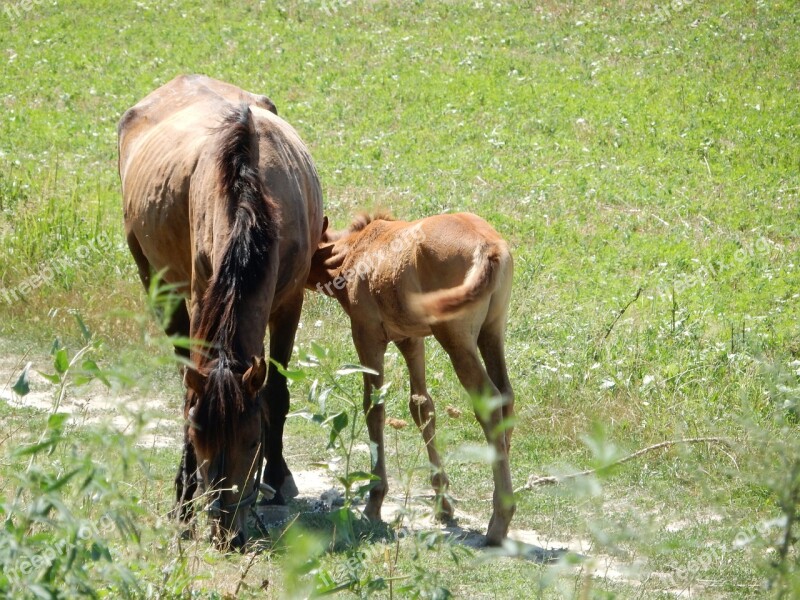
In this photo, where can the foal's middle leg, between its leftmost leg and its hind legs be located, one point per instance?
(424, 415)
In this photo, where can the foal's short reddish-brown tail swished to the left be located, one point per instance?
(480, 280)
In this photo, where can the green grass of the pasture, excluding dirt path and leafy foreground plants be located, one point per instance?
(613, 149)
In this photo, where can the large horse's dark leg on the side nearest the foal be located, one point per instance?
(282, 329)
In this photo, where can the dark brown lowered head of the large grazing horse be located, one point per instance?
(226, 428)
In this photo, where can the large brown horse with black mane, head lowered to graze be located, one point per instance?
(221, 198)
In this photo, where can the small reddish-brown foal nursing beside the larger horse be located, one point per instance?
(448, 276)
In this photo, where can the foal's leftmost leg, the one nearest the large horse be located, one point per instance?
(371, 349)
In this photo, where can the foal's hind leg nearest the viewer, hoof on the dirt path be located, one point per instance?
(460, 344)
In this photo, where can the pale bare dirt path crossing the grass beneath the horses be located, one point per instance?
(96, 404)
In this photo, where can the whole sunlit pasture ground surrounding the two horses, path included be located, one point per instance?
(642, 160)
